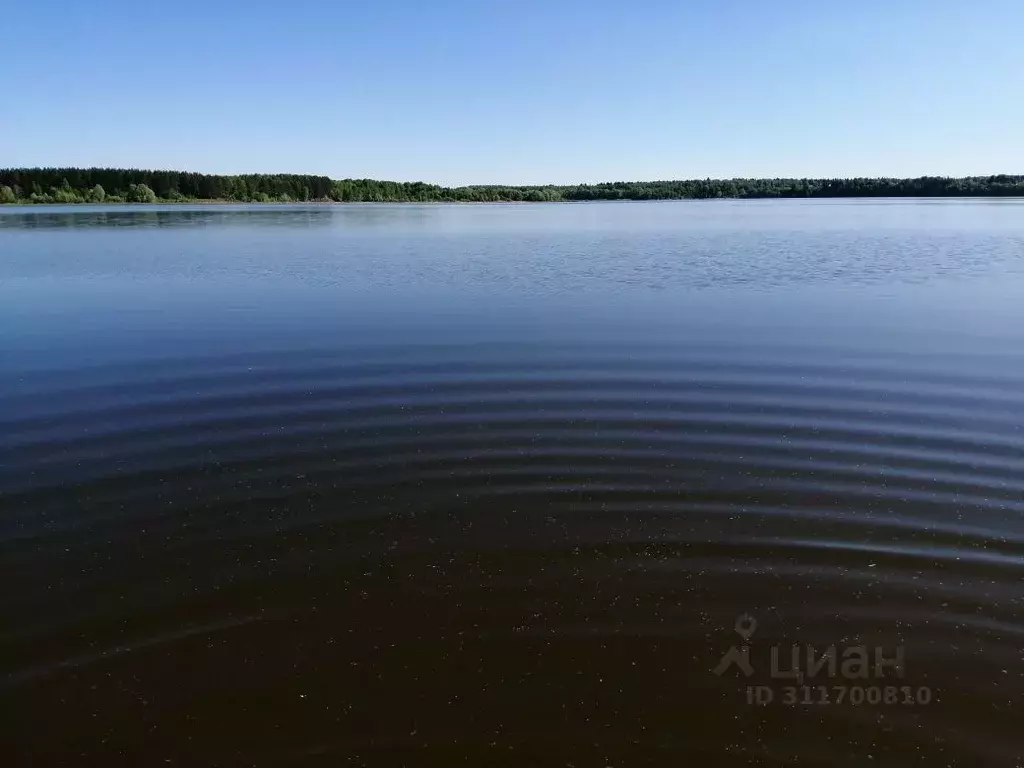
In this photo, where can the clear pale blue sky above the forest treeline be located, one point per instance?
(517, 93)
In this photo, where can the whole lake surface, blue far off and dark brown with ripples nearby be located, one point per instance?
(493, 485)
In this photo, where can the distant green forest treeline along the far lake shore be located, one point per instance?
(117, 186)
